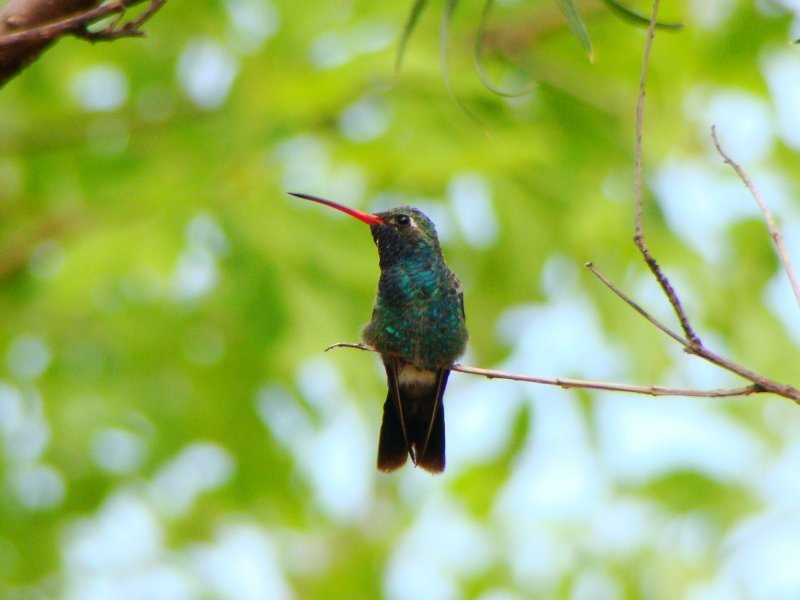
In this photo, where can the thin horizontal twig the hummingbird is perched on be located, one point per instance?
(583, 384)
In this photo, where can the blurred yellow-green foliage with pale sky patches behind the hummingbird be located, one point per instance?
(170, 426)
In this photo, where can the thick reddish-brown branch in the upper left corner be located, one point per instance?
(28, 27)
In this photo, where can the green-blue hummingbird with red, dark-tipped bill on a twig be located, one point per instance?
(418, 327)
